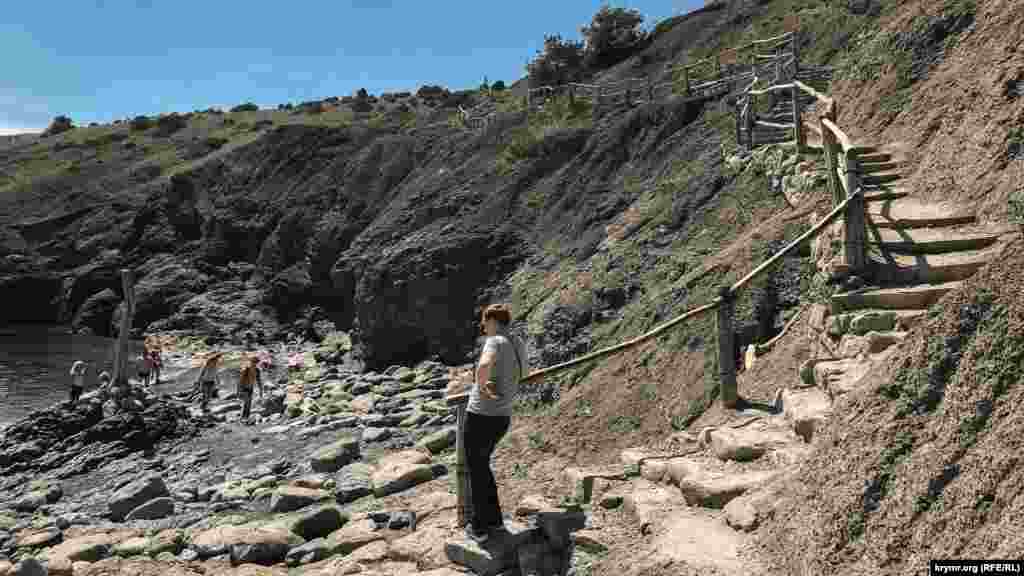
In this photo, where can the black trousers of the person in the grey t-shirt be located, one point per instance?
(483, 435)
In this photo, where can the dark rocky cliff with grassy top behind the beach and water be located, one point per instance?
(264, 223)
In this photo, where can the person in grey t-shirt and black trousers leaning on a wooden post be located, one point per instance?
(489, 415)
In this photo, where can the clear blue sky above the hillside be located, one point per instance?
(98, 61)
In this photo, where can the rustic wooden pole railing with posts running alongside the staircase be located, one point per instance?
(848, 202)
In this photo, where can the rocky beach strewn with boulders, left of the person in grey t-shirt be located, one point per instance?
(335, 473)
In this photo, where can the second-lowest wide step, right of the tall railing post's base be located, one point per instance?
(890, 269)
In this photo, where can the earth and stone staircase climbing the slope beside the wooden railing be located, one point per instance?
(917, 254)
